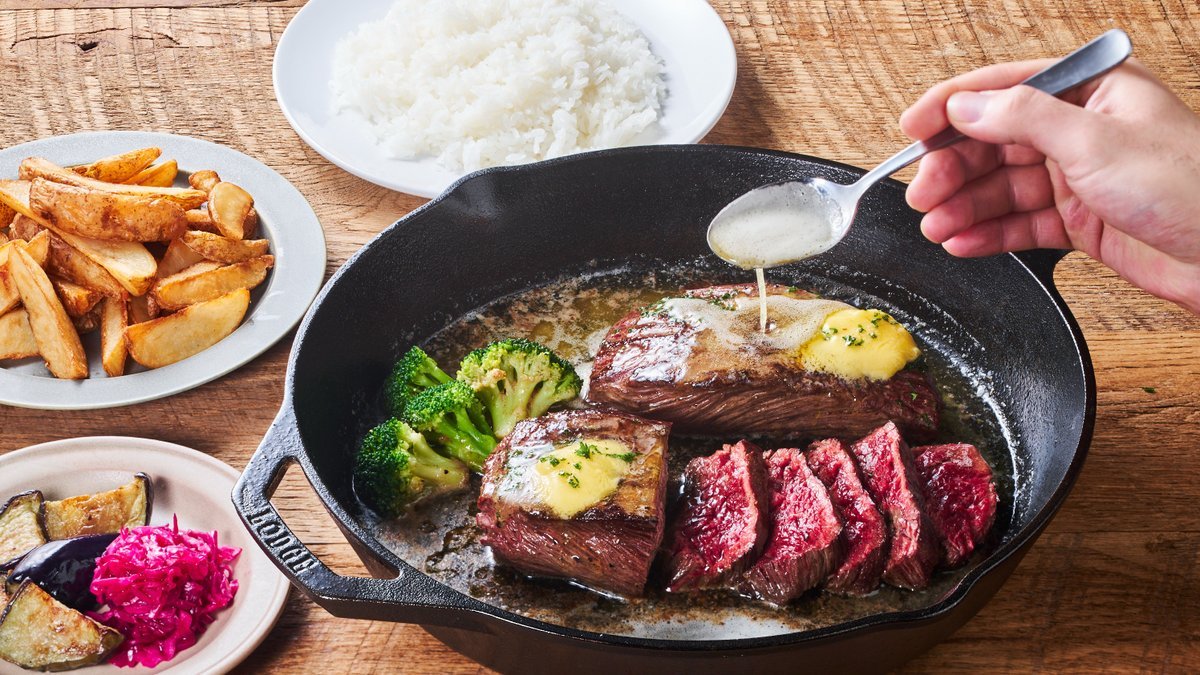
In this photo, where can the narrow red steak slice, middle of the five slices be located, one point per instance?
(865, 534)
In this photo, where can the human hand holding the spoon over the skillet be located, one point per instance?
(1113, 170)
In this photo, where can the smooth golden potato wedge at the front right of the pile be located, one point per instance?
(171, 339)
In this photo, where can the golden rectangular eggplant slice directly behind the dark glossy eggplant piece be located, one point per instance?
(103, 513)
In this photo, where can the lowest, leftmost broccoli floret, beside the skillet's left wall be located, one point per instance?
(397, 467)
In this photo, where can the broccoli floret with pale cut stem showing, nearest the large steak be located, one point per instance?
(519, 380)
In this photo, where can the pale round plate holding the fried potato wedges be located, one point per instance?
(298, 244)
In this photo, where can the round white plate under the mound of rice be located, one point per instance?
(688, 35)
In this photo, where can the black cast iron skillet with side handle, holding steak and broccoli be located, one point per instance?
(502, 231)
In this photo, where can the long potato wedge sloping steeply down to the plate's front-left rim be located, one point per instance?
(57, 338)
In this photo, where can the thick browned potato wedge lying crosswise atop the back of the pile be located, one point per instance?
(105, 216)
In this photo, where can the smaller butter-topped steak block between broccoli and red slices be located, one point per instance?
(579, 495)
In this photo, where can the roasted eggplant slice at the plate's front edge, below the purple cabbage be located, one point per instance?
(40, 634)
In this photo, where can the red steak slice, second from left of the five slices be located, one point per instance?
(805, 546)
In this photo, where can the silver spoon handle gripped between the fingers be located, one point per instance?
(1082, 67)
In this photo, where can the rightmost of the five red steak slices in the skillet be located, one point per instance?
(961, 497)
